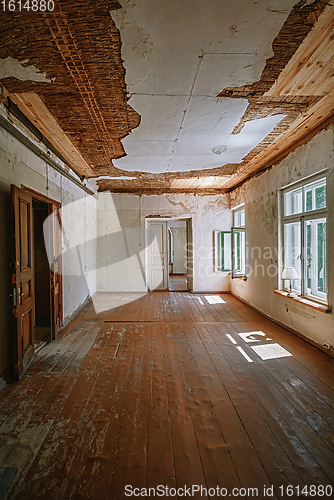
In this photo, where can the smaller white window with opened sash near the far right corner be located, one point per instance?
(230, 246)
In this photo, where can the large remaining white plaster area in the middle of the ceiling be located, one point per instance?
(179, 55)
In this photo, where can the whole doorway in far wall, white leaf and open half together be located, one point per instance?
(169, 256)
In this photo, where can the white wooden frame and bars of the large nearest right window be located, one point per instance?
(302, 218)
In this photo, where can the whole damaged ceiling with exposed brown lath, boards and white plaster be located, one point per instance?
(171, 97)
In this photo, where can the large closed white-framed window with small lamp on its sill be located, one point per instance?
(304, 236)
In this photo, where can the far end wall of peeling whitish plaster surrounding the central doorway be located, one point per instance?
(121, 237)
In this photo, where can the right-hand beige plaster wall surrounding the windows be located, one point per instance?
(260, 196)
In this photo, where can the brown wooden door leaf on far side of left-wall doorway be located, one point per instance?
(55, 245)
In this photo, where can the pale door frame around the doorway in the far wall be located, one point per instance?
(190, 253)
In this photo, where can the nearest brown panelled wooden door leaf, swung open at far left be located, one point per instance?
(22, 280)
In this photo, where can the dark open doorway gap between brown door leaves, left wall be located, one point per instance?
(42, 288)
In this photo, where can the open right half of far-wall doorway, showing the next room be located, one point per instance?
(178, 255)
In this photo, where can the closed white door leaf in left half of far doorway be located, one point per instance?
(157, 255)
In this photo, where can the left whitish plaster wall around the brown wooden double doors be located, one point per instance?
(20, 166)
